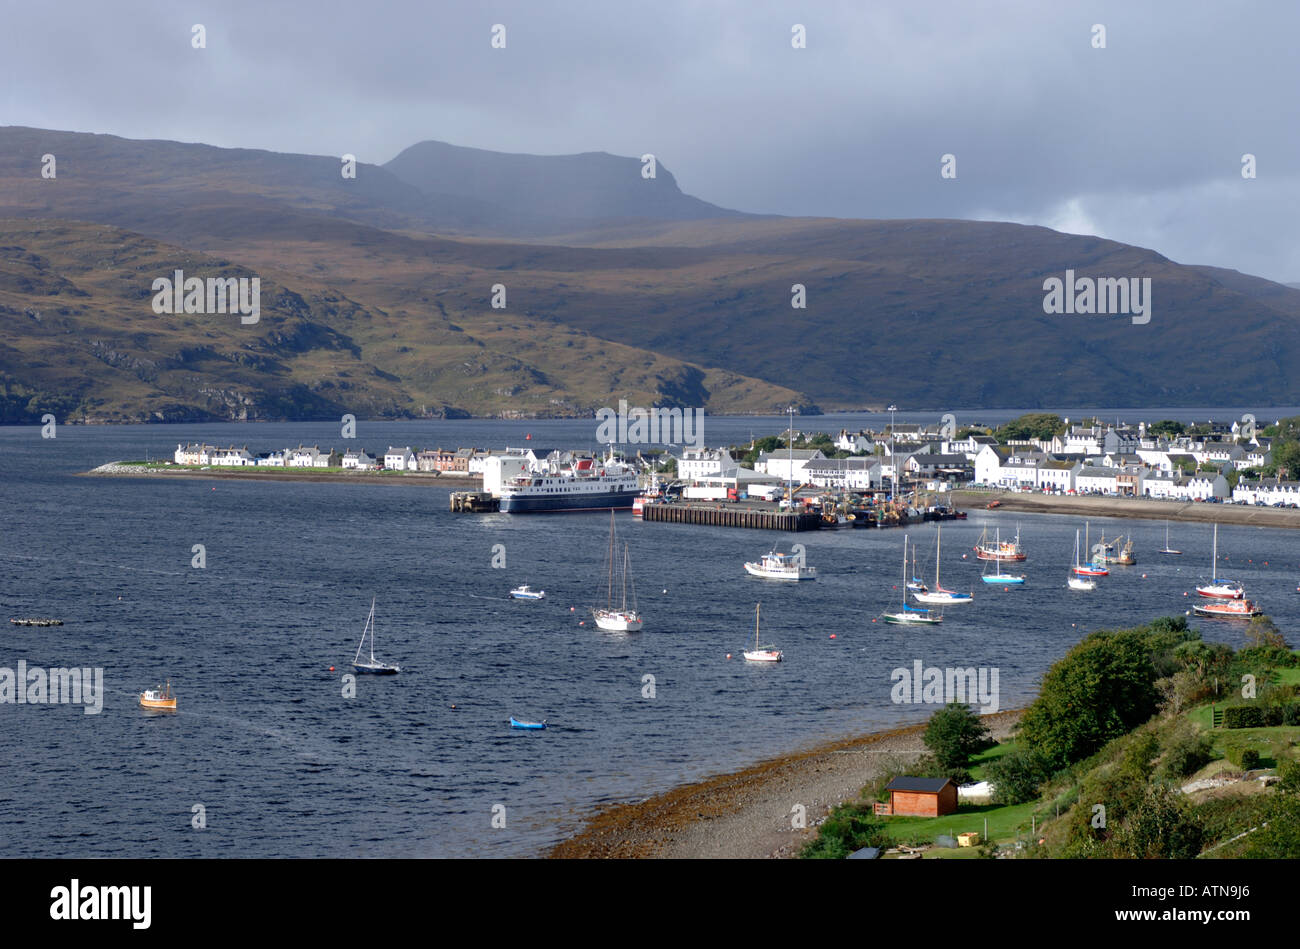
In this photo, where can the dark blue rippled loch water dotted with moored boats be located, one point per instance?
(287, 766)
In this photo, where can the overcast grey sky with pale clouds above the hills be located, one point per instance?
(1139, 142)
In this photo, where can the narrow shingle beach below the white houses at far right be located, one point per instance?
(1138, 509)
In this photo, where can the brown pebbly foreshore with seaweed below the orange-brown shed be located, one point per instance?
(746, 814)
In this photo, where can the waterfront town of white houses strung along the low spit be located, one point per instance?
(1208, 463)
